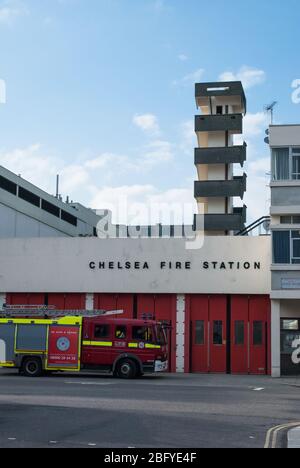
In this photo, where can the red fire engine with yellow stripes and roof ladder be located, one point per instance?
(37, 340)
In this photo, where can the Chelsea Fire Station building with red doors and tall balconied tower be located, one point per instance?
(214, 290)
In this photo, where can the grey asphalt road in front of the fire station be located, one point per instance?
(170, 411)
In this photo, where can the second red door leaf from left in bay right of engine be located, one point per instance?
(218, 334)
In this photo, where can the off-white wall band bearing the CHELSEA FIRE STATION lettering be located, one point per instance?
(62, 265)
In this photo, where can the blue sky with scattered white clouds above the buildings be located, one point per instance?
(102, 91)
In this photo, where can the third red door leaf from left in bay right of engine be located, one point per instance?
(239, 335)
